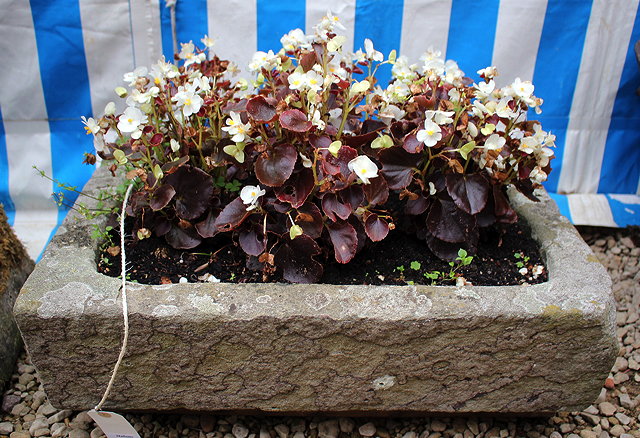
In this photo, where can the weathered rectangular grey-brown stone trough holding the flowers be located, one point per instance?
(323, 348)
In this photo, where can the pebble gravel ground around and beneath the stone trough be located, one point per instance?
(25, 411)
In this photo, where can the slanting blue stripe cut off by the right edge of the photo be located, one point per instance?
(621, 162)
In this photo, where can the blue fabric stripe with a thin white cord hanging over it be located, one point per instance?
(191, 25)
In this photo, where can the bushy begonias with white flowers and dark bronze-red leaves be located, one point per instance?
(313, 158)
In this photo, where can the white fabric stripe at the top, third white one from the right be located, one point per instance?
(425, 24)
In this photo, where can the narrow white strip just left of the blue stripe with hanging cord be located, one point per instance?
(145, 27)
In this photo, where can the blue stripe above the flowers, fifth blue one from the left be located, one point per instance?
(472, 33)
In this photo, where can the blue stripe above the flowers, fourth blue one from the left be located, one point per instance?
(381, 22)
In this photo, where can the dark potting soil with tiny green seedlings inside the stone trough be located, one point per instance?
(397, 260)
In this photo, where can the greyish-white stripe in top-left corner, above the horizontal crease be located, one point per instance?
(22, 97)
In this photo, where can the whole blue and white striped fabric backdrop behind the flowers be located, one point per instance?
(62, 59)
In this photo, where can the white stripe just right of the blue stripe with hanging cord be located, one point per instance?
(233, 23)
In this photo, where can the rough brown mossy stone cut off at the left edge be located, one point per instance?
(15, 266)
